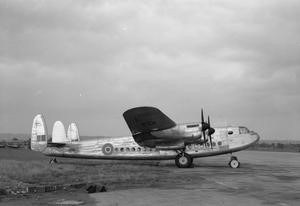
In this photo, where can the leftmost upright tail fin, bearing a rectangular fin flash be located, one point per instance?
(39, 136)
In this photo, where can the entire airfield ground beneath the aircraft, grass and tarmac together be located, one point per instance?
(264, 178)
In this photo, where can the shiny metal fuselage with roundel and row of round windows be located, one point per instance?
(224, 140)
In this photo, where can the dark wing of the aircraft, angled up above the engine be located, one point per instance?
(143, 120)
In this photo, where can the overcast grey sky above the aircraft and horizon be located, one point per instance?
(89, 61)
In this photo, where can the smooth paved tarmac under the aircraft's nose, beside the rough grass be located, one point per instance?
(264, 178)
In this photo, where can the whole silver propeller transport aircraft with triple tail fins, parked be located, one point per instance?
(154, 137)
